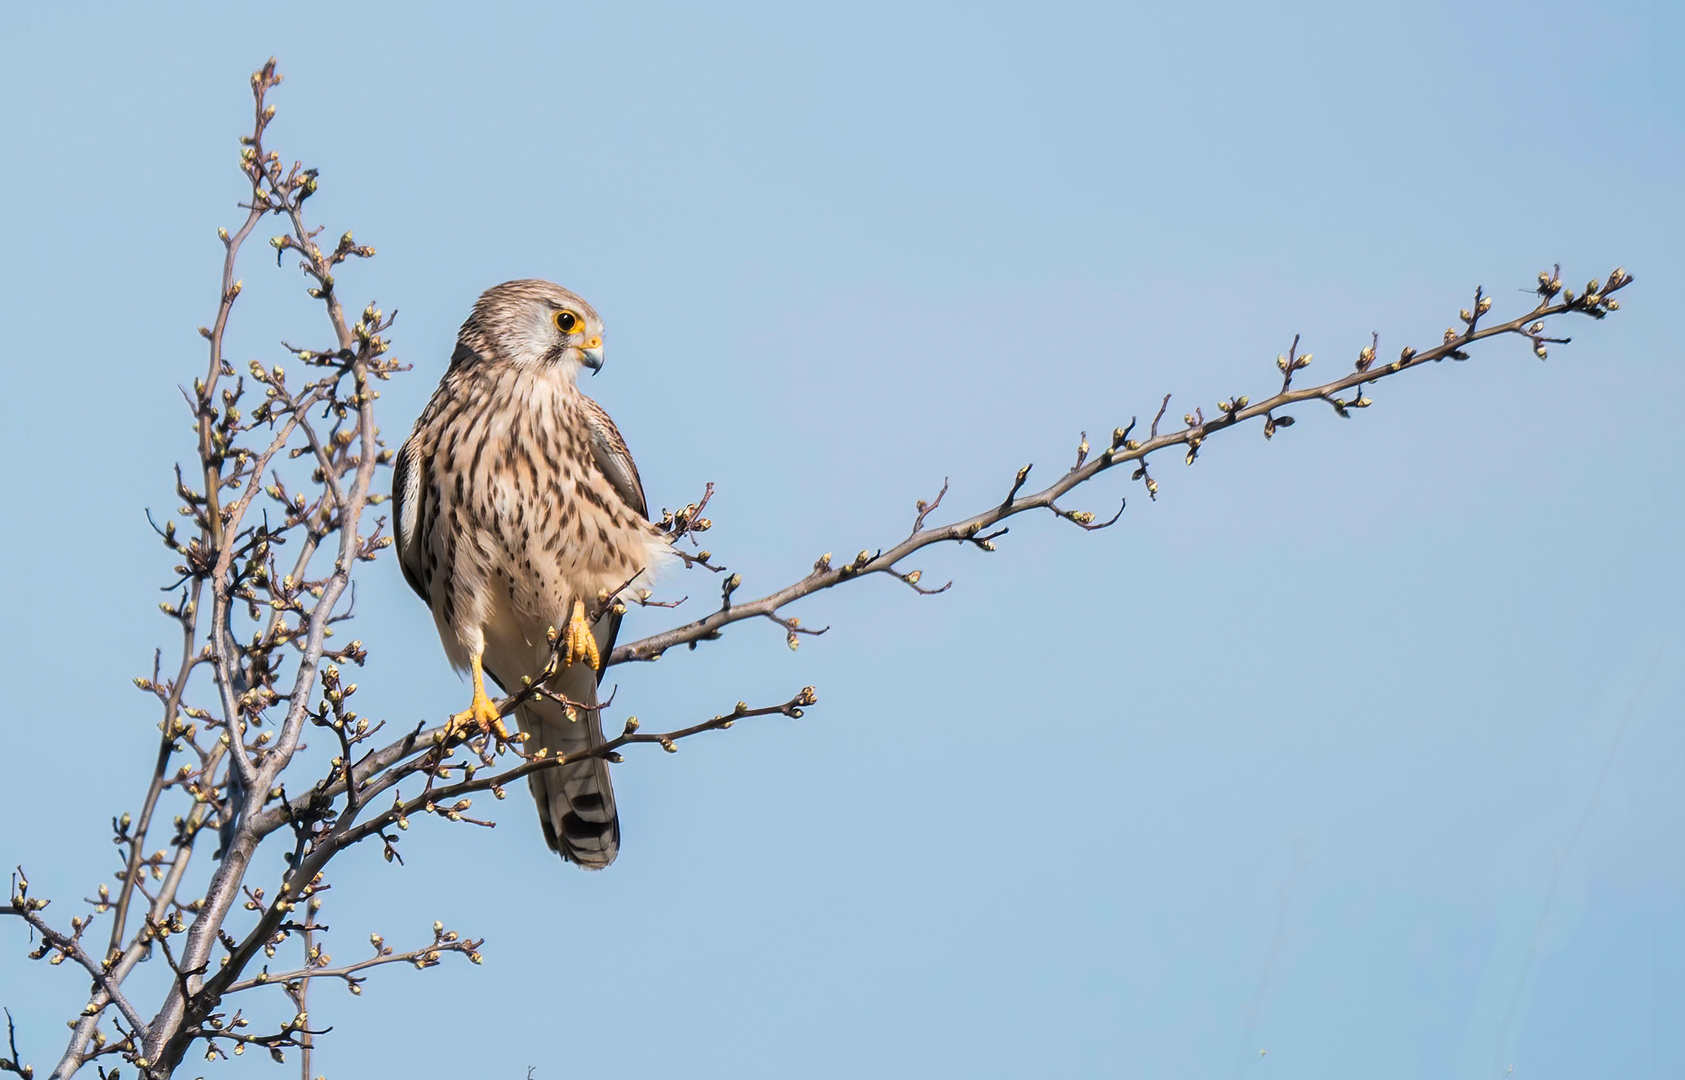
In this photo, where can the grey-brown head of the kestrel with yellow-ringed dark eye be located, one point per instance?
(537, 326)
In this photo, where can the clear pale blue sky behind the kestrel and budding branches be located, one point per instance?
(1046, 825)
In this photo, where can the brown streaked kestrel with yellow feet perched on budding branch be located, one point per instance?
(518, 508)
